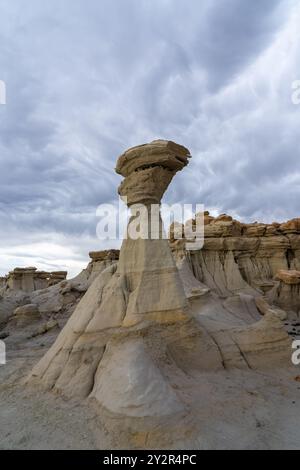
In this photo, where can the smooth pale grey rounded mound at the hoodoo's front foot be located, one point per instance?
(130, 363)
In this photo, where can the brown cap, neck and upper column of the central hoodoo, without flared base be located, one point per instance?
(148, 264)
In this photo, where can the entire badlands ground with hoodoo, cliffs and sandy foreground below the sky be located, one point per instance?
(157, 346)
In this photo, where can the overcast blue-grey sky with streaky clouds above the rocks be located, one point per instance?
(86, 79)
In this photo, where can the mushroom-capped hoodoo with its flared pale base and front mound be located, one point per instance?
(123, 299)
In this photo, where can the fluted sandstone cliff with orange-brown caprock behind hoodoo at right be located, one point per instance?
(239, 257)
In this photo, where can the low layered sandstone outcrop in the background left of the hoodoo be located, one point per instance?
(55, 301)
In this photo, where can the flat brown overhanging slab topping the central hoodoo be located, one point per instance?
(164, 153)
